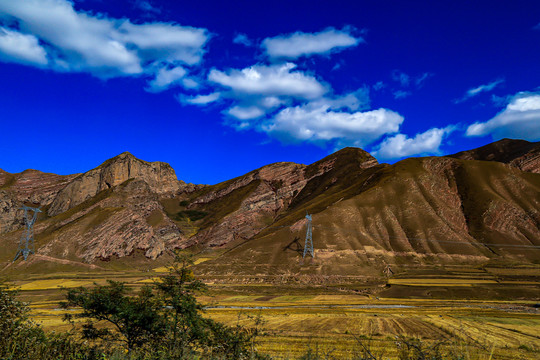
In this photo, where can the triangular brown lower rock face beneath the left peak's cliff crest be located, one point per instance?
(126, 218)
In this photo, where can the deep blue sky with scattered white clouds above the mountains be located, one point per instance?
(219, 88)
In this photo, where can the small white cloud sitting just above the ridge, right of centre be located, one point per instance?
(401, 145)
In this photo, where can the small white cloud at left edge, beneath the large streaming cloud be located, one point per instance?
(21, 48)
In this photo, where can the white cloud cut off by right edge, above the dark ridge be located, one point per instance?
(520, 119)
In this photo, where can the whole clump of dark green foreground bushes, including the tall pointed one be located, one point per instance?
(164, 321)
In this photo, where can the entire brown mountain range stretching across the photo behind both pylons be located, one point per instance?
(433, 210)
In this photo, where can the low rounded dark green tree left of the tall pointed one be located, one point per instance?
(134, 319)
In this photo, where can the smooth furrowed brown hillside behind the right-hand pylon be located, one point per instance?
(429, 211)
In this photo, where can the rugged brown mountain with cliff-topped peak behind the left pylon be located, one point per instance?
(112, 211)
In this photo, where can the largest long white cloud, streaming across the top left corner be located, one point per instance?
(104, 47)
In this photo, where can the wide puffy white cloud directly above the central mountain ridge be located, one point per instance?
(318, 122)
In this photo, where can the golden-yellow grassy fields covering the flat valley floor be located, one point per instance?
(341, 322)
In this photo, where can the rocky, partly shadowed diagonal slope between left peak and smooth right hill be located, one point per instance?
(240, 208)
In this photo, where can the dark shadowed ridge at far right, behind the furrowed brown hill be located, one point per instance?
(521, 154)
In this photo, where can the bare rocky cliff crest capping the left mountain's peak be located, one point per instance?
(159, 176)
